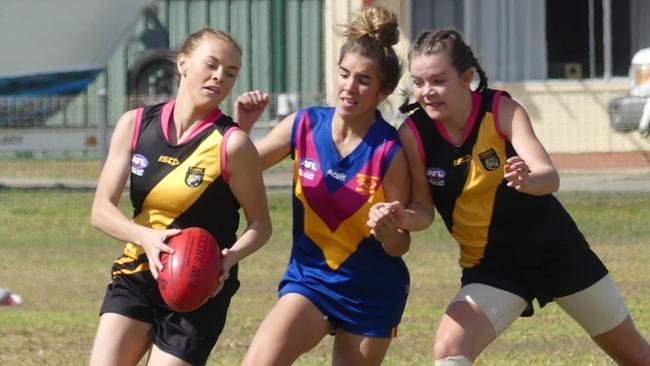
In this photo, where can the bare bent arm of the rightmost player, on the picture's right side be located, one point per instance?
(532, 171)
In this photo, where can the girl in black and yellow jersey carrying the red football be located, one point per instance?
(189, 165)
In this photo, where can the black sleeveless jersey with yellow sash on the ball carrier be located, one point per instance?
(179, 186)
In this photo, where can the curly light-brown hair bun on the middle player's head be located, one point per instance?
(375, 22)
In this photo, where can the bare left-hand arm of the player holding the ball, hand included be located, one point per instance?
(105, 214)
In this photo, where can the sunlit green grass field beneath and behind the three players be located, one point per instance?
(60, 265)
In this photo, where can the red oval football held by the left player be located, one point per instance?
(191, 275)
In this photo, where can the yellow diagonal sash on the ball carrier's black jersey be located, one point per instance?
(173, 195)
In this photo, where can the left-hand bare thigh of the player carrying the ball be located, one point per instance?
(120, 340)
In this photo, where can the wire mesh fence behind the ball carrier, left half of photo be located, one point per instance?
(60, 127)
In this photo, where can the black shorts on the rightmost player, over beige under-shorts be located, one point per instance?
(542, 274)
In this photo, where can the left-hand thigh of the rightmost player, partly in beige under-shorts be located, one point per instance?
(474, 318)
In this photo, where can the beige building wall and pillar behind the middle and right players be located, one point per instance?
(567, 115)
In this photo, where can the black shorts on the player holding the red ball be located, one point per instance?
(189, 336)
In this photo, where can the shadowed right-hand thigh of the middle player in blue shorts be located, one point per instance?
(356, 349)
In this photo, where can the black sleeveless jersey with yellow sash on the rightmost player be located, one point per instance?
(469, 191)
